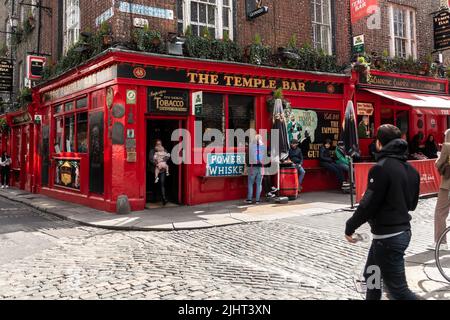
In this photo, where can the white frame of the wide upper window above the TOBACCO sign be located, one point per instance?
(219, 29)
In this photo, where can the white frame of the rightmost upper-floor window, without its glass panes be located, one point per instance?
(410, 36)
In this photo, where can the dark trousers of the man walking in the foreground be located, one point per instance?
(388, 256)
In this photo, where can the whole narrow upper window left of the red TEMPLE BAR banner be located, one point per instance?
(321, 24)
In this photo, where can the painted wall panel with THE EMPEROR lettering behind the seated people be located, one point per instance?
(312, 128)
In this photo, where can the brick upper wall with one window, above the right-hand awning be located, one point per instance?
(402, 28)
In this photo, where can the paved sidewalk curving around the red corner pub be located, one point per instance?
(183, 217)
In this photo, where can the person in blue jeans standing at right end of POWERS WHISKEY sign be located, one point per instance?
(256, 160)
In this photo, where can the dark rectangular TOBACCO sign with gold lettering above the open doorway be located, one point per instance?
(168, 101)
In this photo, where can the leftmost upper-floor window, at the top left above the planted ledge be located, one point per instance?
(71, 23)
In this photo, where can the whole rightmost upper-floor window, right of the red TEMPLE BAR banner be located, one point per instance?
(402, 32)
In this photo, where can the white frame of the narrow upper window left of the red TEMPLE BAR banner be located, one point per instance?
(322, 25)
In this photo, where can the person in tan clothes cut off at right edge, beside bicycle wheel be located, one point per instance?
(443, 201)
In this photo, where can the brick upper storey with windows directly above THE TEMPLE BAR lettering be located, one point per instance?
(326, 24)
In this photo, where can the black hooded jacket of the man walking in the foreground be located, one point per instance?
(392, 191)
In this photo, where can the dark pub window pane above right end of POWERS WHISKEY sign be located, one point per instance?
(241, 113)
